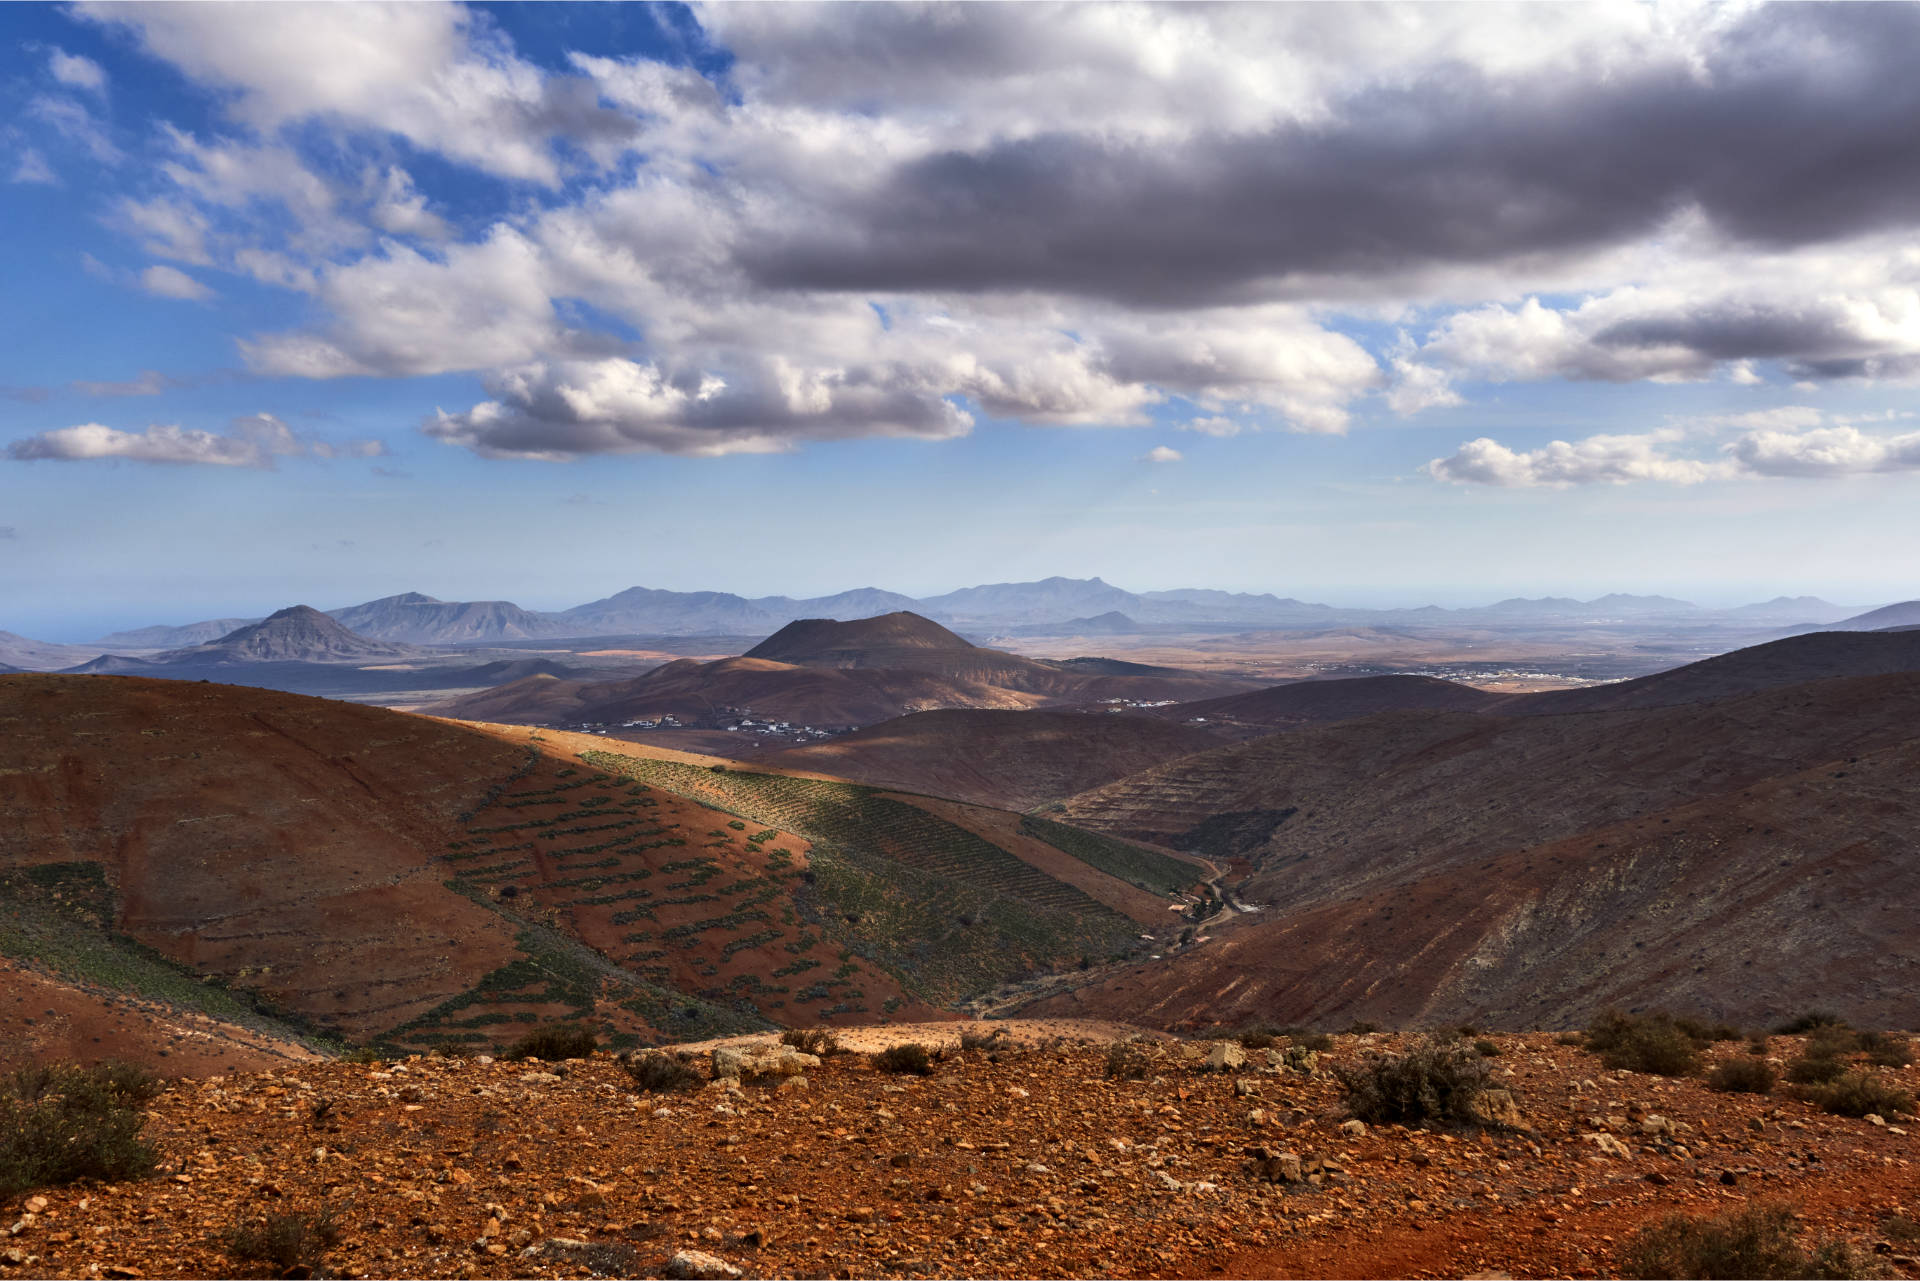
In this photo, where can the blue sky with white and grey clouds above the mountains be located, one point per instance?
(1360, 304)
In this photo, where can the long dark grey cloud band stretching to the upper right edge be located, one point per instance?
(1798, 132)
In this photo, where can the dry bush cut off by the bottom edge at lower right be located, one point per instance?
(1758, 1242)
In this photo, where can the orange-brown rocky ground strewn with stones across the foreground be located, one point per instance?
(1026, 1161)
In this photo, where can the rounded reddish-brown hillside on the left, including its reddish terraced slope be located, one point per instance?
(396, 877)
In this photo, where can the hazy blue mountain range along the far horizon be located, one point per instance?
(1045, 608)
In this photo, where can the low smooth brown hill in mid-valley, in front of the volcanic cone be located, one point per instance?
(996, 758)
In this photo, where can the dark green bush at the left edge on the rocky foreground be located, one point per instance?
(64, 1124)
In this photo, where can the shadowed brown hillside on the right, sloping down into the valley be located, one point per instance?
(1412, 867)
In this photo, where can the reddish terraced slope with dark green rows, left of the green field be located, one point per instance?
(642, 911)
